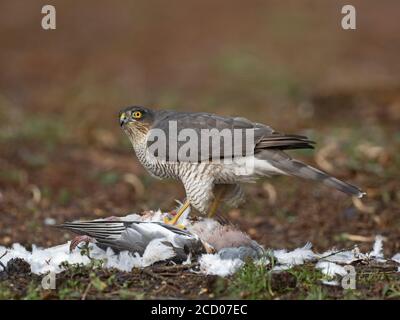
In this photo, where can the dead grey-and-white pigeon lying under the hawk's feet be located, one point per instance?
(134, 233)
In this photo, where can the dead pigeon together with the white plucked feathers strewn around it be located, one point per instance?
(157, 242)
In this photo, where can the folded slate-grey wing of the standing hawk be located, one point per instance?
(264, 137)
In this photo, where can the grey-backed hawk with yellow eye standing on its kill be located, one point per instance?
(210, 179)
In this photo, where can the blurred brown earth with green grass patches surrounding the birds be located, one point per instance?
(64, 157)
